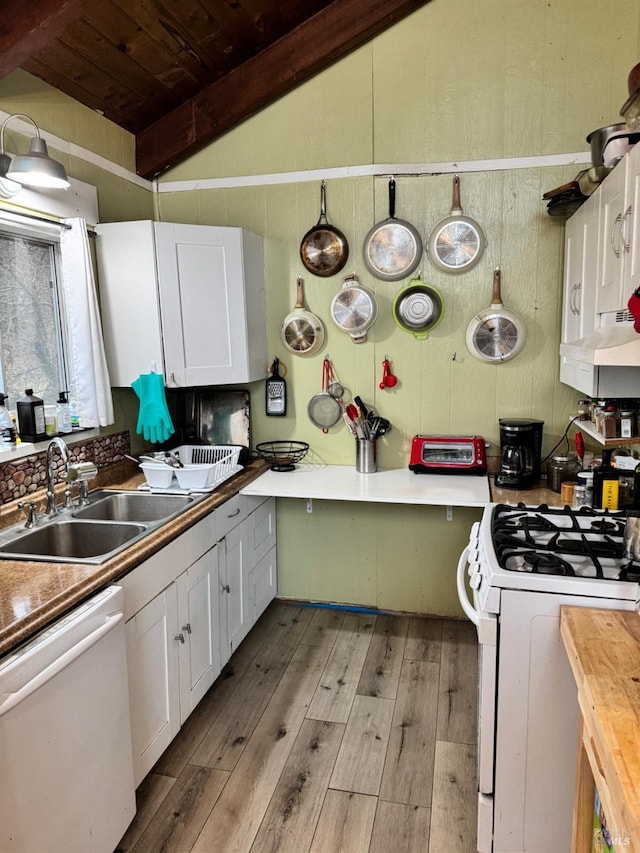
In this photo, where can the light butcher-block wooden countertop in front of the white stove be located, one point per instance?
(603, 647)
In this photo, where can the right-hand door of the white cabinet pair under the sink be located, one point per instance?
(198, 630)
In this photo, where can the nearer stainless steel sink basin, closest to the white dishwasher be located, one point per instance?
(72, 540)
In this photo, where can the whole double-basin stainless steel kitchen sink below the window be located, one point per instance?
(107, 525)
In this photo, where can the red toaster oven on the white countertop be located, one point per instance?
(448, 454)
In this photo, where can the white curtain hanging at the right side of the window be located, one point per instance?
(88, 362)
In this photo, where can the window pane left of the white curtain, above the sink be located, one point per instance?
(32, 347)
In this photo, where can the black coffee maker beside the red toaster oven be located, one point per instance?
(521, 453)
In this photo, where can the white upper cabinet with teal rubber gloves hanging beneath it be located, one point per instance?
(184, 300)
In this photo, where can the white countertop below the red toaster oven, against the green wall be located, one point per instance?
(344, 483)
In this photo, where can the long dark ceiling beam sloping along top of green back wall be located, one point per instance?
(326, 37)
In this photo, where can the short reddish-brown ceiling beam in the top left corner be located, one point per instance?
(27, 27)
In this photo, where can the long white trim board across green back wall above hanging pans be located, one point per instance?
(377, 170)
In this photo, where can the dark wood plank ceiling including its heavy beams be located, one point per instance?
(180, 73)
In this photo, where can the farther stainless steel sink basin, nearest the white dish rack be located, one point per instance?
(133, 506)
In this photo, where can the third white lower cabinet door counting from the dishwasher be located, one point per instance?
(234, 569)
